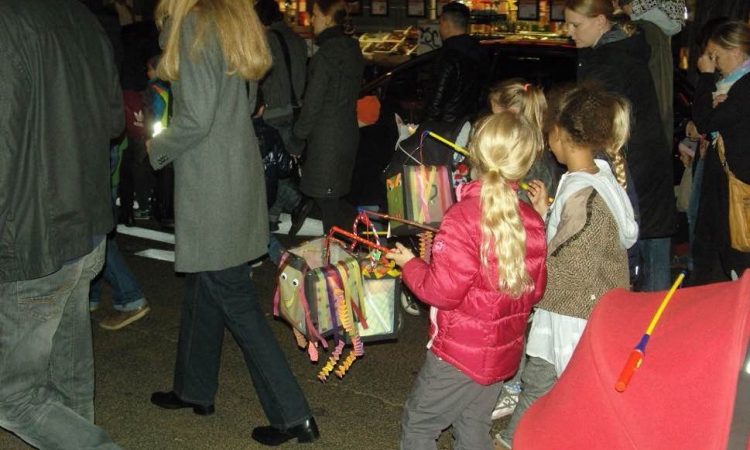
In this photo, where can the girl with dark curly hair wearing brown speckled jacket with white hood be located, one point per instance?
(590, 226)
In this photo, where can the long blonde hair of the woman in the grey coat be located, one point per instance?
(239, 31)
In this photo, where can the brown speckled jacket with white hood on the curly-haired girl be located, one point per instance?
(590, 226)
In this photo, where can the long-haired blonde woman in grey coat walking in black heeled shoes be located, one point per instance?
(220, 210)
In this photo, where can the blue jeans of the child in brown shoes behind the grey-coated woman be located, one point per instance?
(126, 293)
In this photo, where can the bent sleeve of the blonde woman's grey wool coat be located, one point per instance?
(197, 93)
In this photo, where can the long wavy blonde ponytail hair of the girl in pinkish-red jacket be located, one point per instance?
(503, 148)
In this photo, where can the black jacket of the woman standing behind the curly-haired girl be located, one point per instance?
(620, 63)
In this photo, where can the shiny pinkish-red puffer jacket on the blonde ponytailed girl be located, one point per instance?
(476, 328)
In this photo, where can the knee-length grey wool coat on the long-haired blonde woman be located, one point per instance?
(221, 218)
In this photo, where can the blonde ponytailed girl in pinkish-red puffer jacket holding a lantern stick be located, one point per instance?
(486, 272)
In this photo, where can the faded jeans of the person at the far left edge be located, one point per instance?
(47, 369)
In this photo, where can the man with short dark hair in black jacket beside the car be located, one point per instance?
(456, 74)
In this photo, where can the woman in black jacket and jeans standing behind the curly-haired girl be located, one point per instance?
(614, 53)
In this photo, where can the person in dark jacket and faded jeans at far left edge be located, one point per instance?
(60, 103)
